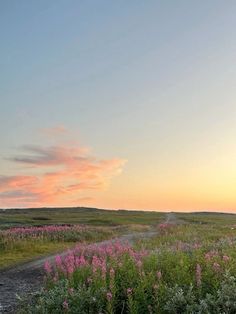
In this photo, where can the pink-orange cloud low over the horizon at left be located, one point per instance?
(62, 174)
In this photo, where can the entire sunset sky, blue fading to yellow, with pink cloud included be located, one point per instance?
(118, 104)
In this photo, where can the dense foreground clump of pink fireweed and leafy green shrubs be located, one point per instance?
(116, 278)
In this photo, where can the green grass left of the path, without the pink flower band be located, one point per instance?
(112, 223)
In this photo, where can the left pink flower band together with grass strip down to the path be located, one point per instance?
(18, 245)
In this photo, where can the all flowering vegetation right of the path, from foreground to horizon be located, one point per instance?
(187, 267)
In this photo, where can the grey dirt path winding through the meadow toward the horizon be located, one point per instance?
(28, 278)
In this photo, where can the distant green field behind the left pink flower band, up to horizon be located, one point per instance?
(80, 215)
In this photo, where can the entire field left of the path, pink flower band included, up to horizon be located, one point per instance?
(96, 225)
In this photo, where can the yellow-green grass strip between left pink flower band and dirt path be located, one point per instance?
(18, 250)
